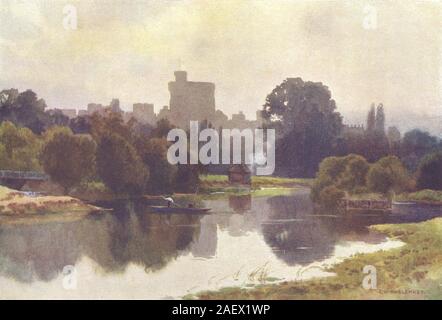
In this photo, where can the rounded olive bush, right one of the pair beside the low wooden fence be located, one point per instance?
(388, 175)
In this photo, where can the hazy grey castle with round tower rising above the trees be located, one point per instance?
(189, 100)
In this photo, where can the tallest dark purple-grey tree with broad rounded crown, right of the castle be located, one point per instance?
(306, 122)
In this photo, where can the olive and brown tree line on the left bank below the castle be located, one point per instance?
(128, 157)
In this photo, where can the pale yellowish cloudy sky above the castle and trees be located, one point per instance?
(364, 51)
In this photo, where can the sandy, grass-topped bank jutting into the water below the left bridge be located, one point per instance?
(15, 204)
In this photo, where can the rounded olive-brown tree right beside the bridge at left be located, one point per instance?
(68, 159)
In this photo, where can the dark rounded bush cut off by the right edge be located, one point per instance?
(429, 174)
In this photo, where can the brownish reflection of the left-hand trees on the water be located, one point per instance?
(114, 240)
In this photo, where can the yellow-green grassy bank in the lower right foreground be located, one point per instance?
(413, 271)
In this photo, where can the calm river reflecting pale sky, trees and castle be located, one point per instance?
(131, 253)
